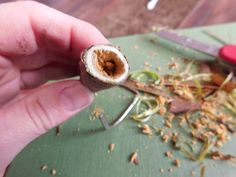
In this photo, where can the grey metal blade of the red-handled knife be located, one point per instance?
(212, 50)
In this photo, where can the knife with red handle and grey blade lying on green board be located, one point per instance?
(225, 54)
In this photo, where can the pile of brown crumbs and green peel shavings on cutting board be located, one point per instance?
(202, 104)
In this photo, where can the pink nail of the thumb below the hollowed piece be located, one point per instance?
(75, 97)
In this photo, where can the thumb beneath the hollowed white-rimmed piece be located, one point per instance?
(36, 112)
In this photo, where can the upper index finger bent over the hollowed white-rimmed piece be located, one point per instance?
(31, 25)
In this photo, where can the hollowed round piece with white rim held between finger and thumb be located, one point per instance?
(103, 66)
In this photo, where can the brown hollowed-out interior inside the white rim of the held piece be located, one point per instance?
(109, 64)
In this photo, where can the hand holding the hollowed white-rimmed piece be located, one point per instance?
(38, 44)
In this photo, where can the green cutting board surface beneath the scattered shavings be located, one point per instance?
(81, 149)
